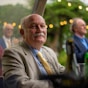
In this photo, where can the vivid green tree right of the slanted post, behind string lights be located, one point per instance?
(57, 12)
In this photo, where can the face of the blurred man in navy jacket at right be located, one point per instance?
(81, 27)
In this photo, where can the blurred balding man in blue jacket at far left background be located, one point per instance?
(5, 41)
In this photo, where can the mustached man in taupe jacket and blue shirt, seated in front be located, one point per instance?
(21, 66)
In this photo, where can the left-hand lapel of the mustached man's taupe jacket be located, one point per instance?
(30, 59)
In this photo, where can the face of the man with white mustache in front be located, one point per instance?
(36, 32)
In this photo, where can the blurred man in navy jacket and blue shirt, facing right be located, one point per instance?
(78, 28)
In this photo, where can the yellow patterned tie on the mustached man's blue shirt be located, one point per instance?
(44, 63)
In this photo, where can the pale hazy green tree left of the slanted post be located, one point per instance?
(13, 13)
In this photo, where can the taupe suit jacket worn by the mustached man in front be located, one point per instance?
(21, 71)
